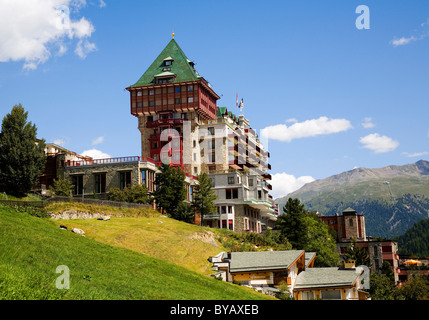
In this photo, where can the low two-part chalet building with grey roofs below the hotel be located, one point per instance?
(267, 269)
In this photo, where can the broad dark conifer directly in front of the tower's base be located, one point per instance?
(170, 190)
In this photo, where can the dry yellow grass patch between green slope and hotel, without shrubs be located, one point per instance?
(159, 237)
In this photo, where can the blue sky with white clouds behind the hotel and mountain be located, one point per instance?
(325, 96)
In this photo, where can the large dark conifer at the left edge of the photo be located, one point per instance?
(22, 157)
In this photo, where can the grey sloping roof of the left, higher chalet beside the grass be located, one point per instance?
(263, 260)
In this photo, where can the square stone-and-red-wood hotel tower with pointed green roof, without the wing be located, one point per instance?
(169, 93)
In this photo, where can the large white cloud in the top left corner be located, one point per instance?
(30, 30)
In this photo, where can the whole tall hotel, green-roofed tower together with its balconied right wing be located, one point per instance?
(181, 124)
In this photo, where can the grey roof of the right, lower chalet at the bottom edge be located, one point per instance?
(325, 278)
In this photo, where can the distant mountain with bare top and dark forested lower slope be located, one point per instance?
(392, 198)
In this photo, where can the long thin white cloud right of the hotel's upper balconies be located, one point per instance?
(308, 128)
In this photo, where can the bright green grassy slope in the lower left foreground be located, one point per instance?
(32, 248)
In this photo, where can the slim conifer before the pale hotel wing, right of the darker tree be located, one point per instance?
(203, 196)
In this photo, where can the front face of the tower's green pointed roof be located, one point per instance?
(180, 67)
